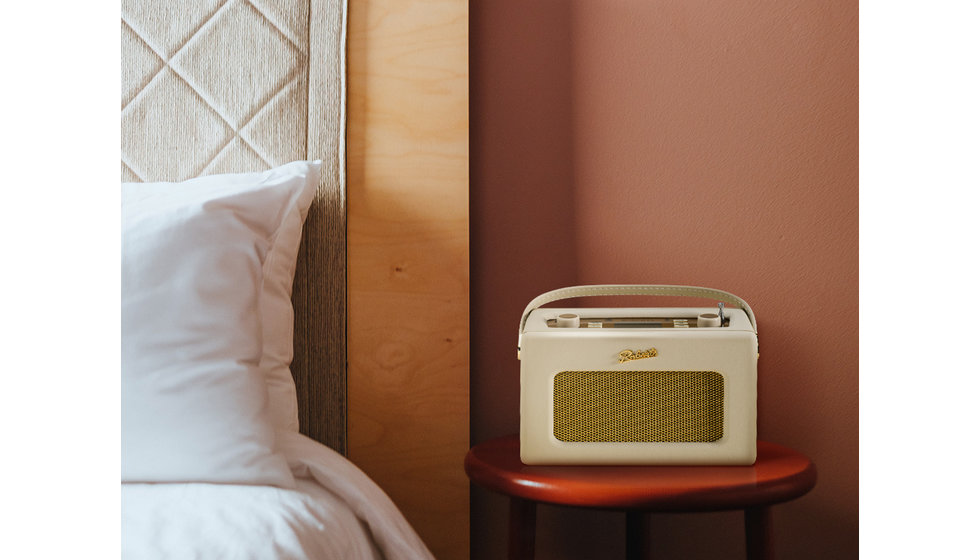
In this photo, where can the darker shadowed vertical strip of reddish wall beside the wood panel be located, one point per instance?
(522, 208)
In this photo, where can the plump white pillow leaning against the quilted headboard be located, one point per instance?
(193, 392)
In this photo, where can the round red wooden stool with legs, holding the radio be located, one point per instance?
(778, 475)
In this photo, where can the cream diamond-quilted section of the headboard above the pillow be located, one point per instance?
(212, 86)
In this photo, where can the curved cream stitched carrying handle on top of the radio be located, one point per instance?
(632, 290)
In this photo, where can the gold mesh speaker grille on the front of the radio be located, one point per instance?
(640, 406)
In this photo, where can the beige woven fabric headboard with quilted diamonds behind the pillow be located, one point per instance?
(215, 86)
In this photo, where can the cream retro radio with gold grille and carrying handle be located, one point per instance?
(638, 386)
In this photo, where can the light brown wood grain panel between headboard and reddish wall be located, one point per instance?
(408, 205)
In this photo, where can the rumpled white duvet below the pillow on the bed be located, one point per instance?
(335, 512)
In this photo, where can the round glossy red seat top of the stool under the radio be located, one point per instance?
(778, 475)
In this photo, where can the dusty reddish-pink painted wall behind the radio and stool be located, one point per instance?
(687, 142)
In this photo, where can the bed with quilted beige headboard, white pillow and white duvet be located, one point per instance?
(234, 288)
